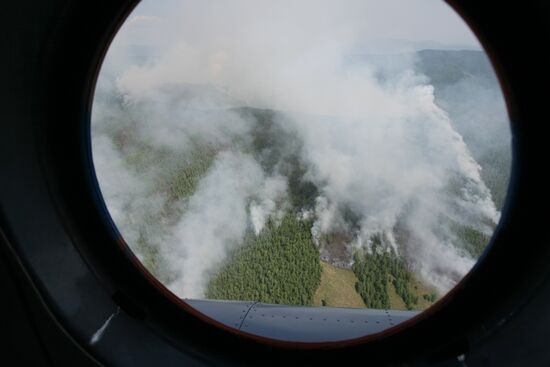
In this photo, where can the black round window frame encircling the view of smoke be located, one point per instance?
(68, 171)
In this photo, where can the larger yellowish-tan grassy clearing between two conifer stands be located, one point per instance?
(337, 288)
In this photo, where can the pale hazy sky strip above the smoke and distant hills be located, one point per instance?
(387, 23)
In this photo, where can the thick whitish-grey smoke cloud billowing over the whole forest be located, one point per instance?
(380, 148)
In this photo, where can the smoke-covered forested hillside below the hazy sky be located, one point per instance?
(278, 207)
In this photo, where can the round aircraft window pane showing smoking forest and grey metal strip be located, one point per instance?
(331, 154)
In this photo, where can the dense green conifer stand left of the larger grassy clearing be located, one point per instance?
(279, 265)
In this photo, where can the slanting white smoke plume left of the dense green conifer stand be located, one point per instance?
(215, 220)
